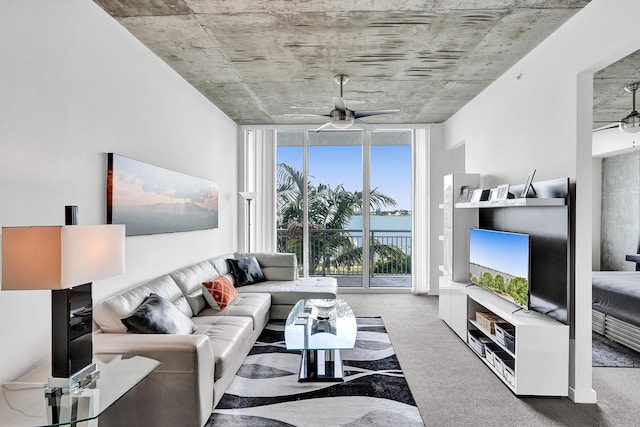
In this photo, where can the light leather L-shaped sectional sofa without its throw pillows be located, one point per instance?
(197, 368)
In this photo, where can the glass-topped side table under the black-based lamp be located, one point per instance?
(27, 402)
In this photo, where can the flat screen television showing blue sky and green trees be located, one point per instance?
(499, 262)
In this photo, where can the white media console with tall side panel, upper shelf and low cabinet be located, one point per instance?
(538, 364)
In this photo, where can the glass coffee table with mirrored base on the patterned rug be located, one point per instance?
(320, 328)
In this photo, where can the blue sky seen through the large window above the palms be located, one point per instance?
(334, 165)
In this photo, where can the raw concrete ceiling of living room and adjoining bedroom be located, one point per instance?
(272, 61)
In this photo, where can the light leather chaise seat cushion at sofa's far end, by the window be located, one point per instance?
(291, 291)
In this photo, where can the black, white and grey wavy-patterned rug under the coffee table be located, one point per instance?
(266, 391)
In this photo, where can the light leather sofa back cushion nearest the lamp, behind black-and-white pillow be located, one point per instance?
(108, 313)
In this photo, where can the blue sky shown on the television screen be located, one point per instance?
(506, 252)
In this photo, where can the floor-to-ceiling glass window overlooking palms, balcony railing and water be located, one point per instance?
(323, 181)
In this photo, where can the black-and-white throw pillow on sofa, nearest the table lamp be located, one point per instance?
(158, 315)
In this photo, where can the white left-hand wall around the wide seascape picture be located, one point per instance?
(76, 85)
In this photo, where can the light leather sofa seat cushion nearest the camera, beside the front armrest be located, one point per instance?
(229, 337)
